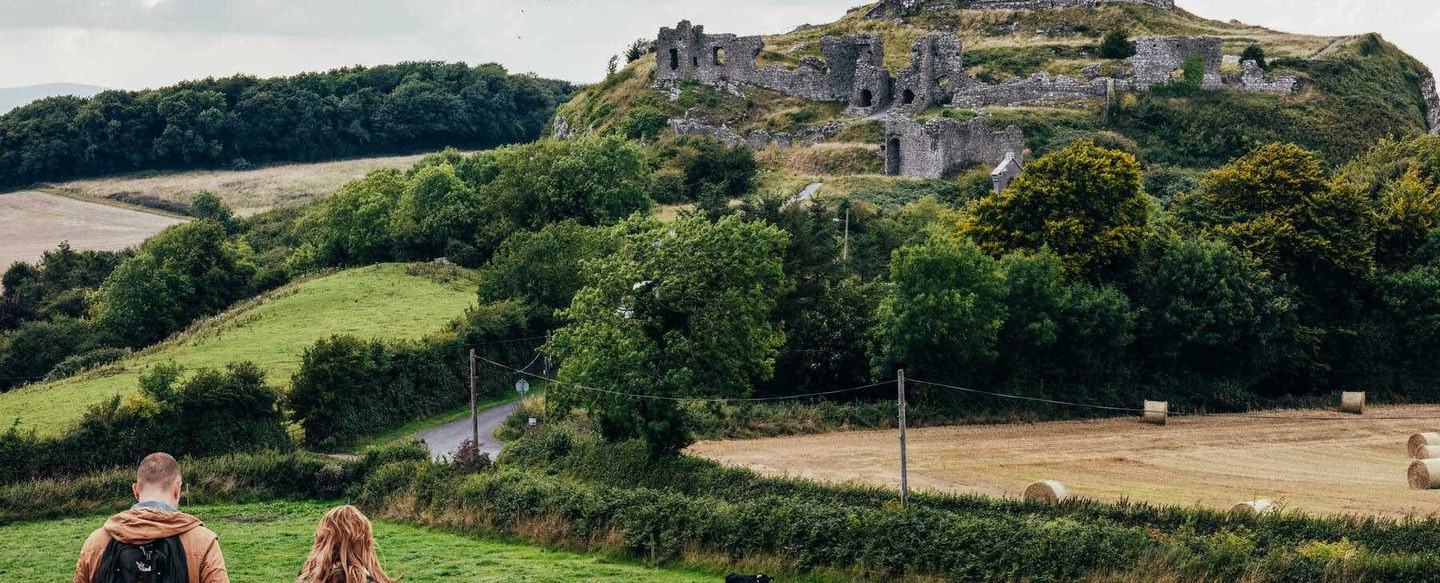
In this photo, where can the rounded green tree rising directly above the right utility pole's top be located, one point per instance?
(944, 313)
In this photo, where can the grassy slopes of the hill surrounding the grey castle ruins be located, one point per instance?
(1351, 93)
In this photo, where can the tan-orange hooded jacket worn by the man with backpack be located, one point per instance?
(202, 548)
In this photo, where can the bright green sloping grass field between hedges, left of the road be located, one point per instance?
(273, 332)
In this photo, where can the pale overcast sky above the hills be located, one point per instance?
(138, 44)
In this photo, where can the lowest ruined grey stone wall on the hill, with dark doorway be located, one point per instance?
(940, 146)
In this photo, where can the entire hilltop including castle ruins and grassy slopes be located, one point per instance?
(1045, 73)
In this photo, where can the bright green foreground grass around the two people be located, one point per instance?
(269, 543)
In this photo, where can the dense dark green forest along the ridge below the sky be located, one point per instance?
(240, 122)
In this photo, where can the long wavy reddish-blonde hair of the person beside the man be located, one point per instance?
(343, 552)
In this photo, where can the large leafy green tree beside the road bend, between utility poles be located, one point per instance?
(682, 310)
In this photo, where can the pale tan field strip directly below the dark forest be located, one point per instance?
(247, 192)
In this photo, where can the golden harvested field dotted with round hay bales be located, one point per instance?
(1338, 464)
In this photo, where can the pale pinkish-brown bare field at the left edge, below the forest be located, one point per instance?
(32, 224)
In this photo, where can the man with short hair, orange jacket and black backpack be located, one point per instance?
(153, 541)
